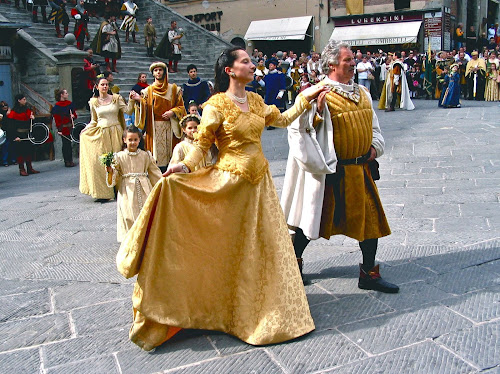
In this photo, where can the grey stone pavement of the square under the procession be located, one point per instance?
(64, 308)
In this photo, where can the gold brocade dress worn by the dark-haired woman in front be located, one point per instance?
(211, 248)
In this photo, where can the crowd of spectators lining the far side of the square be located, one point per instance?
(303, 70)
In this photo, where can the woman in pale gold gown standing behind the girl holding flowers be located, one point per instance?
(103, 134)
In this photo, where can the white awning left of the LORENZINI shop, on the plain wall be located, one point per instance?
(279, 29)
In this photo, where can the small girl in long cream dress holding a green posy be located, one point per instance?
(134, 172)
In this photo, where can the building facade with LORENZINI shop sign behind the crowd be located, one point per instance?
(231, 19)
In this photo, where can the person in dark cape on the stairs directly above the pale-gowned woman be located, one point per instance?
(107, 43)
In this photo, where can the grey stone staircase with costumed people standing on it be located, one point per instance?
(200, 47)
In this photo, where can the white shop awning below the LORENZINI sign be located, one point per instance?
(378, 34)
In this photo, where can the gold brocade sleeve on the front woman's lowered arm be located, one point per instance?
(205, 137)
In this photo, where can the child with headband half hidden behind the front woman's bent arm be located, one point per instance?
(189, 125)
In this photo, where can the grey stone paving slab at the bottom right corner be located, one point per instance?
(478, 344)
